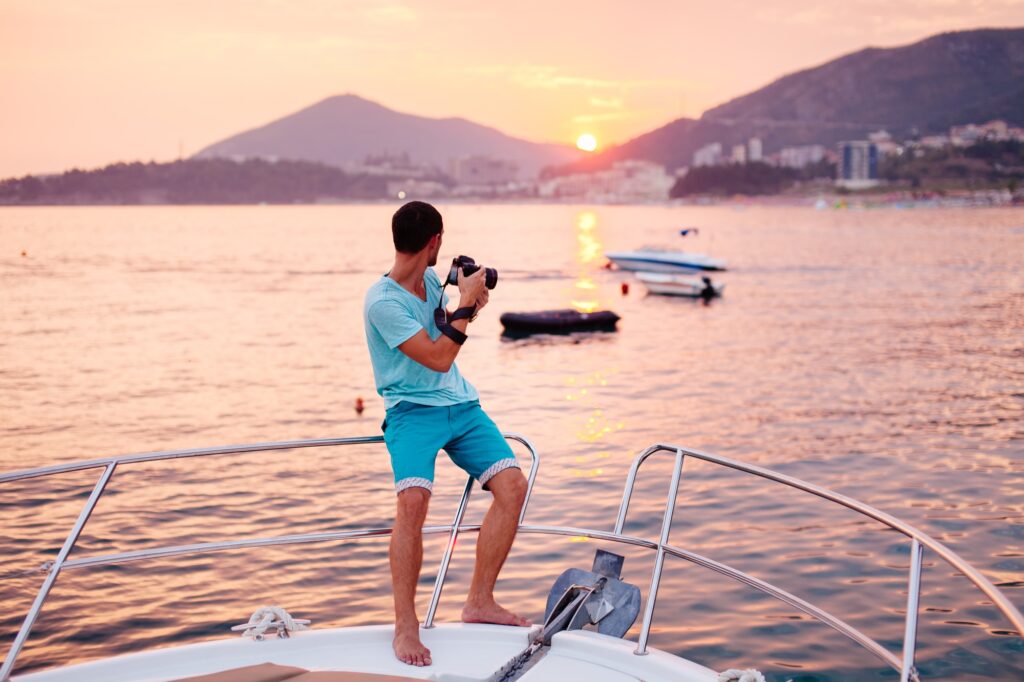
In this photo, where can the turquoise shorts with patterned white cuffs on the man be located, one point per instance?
(415, 433)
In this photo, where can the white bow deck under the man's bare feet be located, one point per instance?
(460, 653)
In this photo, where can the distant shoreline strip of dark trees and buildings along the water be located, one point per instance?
(255, 182)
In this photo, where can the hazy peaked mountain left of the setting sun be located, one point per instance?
(347, 130)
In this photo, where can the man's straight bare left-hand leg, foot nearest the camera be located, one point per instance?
(407, 558)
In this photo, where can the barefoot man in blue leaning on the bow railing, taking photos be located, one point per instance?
(432, 407)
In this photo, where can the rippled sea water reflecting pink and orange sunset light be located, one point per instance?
(877, 353)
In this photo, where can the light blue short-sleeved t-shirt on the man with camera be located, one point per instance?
(394, 316)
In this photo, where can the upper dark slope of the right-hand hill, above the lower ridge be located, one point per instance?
(946, 80)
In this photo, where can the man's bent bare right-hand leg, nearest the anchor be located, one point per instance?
(497, 534)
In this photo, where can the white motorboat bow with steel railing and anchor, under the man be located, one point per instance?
(587, 617)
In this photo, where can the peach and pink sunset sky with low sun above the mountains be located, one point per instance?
(91, 82)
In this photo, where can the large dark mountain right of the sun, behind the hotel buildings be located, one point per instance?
(946, 80)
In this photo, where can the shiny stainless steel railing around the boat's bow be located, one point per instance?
(905, 665)
